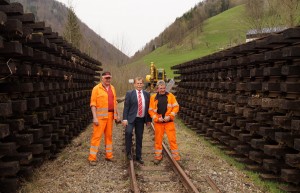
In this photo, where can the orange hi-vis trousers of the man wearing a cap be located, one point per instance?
(105, 126)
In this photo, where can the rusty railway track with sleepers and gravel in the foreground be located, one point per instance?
(168, 176)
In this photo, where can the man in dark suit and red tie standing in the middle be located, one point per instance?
(135, 115)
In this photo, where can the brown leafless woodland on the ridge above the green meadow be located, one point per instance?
(192, 20)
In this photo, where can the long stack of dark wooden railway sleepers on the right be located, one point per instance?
(248, 97)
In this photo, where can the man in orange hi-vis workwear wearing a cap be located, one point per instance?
(104, 109)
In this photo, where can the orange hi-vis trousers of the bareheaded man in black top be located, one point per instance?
(160, 129)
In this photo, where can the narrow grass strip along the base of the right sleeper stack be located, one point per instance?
(268, 186)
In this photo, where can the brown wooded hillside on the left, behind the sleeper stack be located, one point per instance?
(55, 15)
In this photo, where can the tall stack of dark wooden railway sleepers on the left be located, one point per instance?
(45, 86)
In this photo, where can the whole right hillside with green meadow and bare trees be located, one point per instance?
(214, 25)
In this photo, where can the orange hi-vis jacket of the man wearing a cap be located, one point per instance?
(99, 99)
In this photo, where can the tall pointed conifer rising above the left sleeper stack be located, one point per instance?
(72, 31)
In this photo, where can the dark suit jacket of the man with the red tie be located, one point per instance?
(131, 106)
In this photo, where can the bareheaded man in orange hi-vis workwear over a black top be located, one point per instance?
(162, 108)
